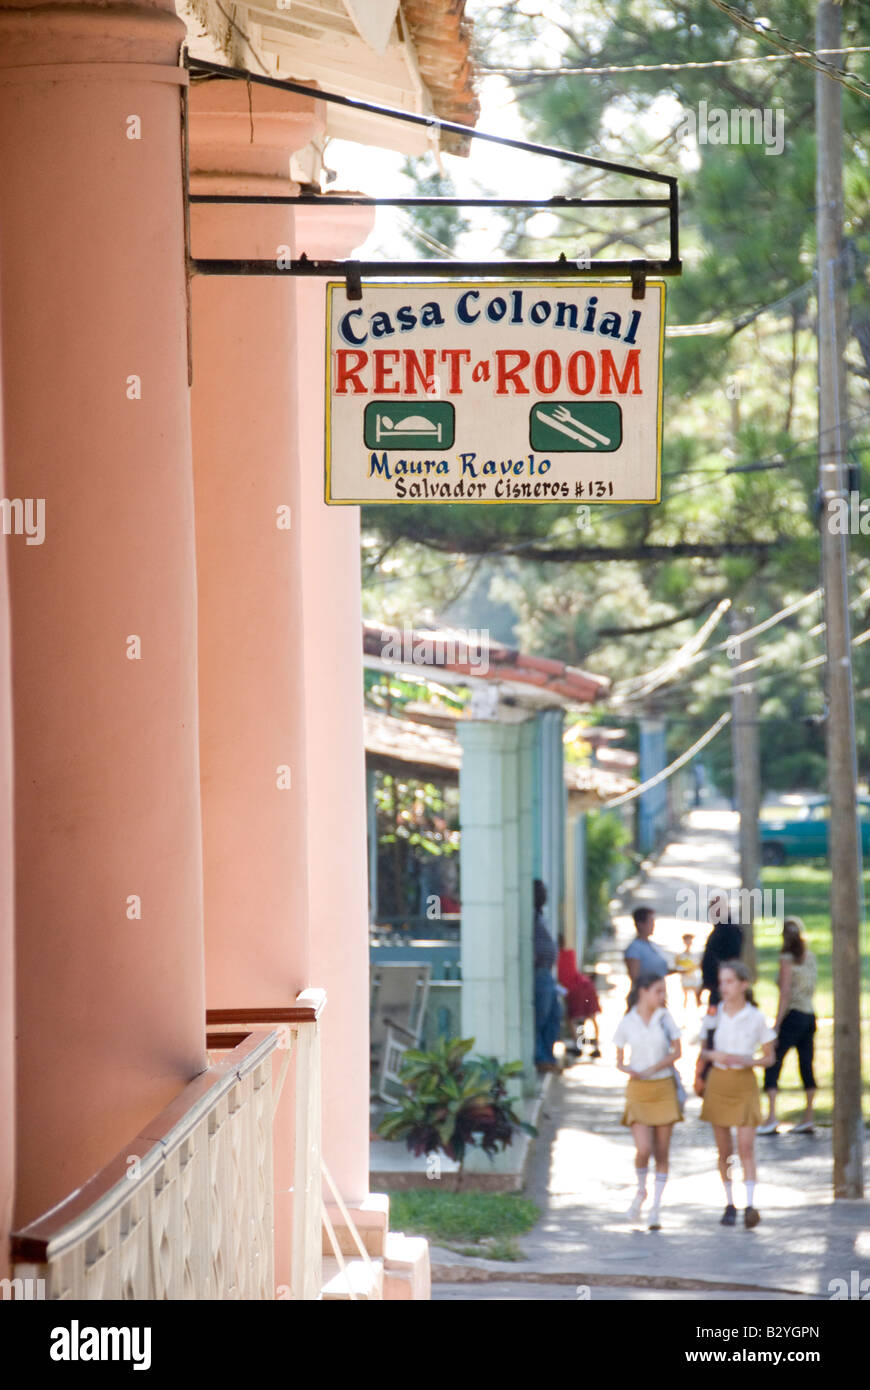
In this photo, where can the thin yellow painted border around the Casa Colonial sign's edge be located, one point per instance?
(487, 502)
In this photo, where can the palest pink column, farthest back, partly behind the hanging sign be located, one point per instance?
(333, 633)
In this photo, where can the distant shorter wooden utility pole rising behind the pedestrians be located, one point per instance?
(747, 774)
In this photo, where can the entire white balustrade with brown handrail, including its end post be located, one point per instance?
(187, 1211)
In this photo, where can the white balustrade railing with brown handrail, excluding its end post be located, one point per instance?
(186, 1211)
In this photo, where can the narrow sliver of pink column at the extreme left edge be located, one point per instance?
(8, 921)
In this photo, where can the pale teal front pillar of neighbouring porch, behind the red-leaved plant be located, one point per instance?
(490, 864)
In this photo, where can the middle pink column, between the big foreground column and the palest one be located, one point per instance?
(249, 565)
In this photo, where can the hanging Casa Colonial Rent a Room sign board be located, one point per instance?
(494, 391)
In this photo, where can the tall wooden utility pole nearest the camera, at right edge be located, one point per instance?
(840, 728)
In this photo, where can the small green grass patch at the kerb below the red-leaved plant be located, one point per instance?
(487, 1224)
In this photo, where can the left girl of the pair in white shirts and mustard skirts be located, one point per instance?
(652, 1107)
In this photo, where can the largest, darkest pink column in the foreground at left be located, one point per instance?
(97, 422)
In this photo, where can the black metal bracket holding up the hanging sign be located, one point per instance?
(355, 272)
